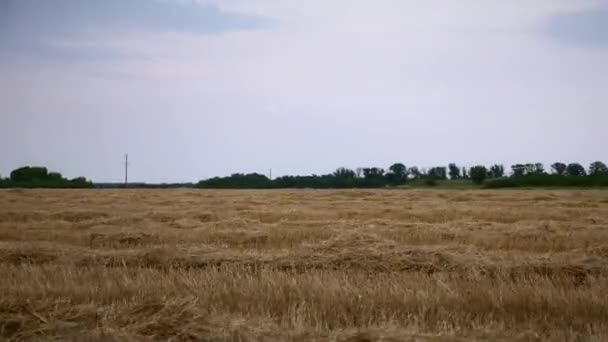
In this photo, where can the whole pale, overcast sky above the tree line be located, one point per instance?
(195, 89)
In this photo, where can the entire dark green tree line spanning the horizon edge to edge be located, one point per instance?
(494, 176)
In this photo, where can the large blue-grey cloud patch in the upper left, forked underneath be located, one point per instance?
(41, 27)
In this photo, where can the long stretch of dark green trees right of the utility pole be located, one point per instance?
(495, 176)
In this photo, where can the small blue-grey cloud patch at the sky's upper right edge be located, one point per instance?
(588, 28)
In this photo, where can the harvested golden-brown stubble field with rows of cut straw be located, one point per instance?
(301, 265)
